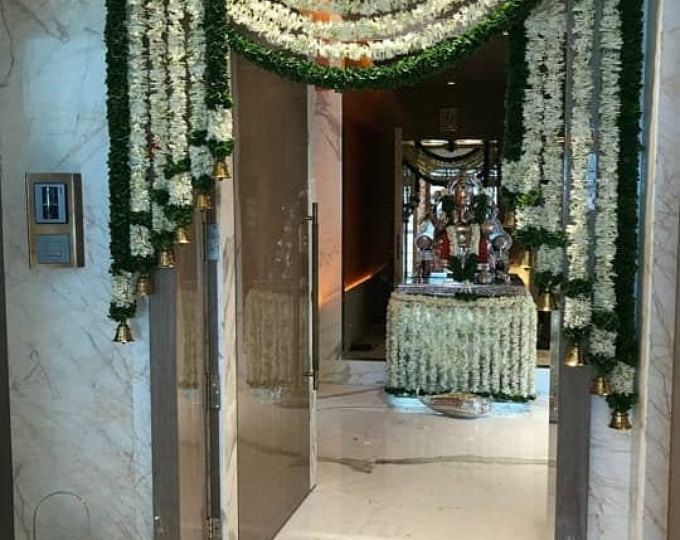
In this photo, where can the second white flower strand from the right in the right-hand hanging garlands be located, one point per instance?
(577, 311)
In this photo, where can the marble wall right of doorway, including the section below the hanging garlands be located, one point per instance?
(629, 471)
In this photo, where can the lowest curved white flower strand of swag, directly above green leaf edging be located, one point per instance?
(273, 28)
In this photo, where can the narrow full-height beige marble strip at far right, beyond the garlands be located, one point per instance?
(651, 448)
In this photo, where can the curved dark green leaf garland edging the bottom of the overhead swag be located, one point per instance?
(405, 71)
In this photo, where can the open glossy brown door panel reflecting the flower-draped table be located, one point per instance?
(273, 301)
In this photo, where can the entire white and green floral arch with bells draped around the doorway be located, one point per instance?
(169, 113)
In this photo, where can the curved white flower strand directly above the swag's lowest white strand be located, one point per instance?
(381, 27)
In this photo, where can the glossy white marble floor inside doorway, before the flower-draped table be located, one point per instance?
(390, 469)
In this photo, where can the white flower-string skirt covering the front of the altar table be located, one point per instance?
(443, 344)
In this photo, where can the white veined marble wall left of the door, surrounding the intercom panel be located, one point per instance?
(80, 404)
